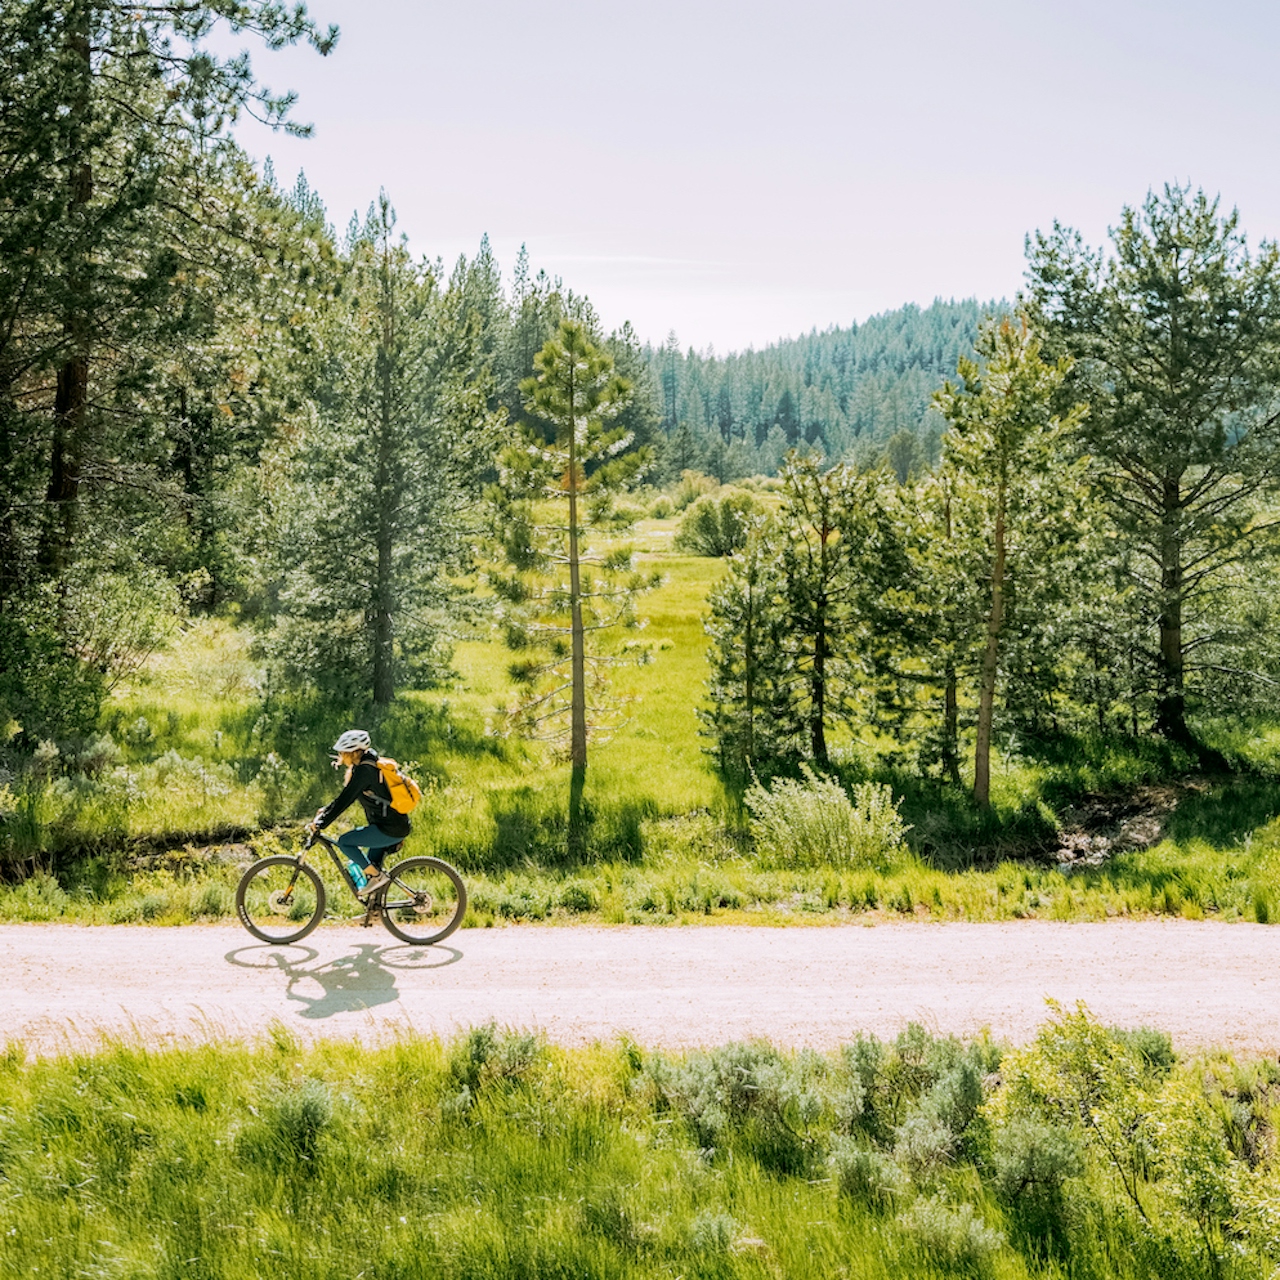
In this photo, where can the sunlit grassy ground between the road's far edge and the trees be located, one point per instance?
(198, 774)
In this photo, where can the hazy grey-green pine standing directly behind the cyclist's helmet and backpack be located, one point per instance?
(380, 474)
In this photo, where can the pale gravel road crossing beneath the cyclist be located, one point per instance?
(1206, 984)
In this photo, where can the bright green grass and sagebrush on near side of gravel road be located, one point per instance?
(501, 1156)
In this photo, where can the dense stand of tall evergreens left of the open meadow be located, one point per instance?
(213, 400)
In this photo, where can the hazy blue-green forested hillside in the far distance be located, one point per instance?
(860, 395)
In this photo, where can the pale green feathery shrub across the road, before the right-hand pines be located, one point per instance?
(813, 822)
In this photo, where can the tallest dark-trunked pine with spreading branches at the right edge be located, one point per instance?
(1177, 346)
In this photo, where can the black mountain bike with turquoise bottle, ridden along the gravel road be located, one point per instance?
(282, 899)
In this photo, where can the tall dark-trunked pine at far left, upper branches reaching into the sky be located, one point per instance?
(131, 85)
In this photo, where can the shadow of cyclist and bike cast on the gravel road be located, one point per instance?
(363, 979)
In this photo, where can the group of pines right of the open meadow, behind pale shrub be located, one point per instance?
(1094, 551)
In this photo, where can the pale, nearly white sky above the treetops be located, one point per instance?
(743, 172)
